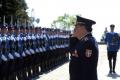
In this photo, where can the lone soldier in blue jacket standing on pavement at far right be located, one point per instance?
(112, 40)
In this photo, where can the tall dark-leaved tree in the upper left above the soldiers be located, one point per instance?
(13, 9)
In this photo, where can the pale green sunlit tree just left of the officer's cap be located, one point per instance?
(64, 22)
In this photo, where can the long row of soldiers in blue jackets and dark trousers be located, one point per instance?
(26, 52)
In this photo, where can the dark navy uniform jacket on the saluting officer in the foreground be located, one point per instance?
(82, 67)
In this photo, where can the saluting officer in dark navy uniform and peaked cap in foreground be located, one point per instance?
(84, 52)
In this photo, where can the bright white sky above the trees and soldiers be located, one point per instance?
(104, 12)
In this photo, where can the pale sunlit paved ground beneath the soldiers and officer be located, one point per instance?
(62, 73)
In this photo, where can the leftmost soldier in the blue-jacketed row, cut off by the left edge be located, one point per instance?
(3, 58)
